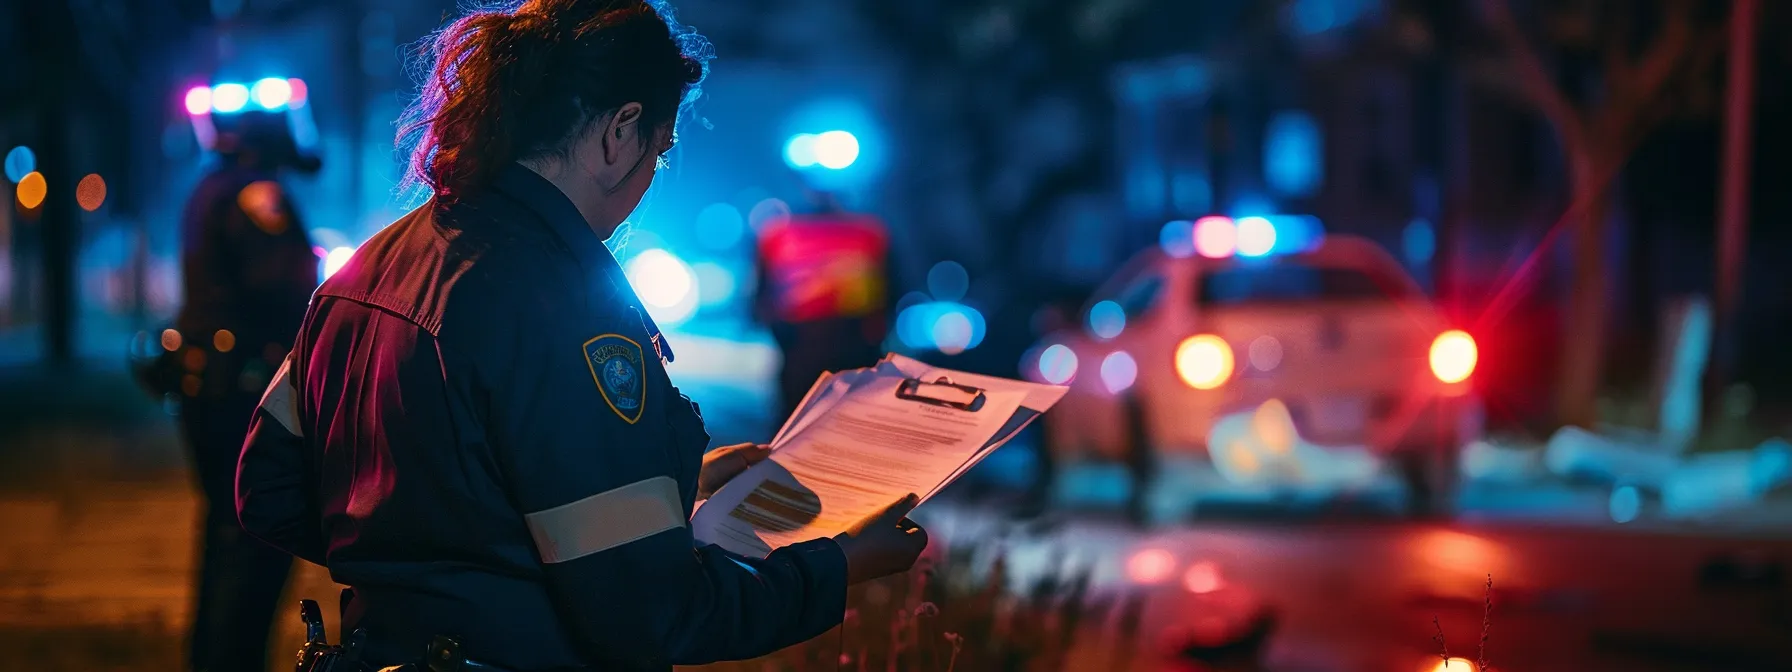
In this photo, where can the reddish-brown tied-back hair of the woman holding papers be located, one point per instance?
(508, 85)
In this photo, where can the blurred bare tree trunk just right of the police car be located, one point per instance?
(1585, 318)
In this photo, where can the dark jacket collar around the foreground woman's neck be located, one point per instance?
(555, 209)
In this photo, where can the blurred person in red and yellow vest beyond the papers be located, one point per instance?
(823, 293)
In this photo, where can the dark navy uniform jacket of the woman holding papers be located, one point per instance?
(476, 433)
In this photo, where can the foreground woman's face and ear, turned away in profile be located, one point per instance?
(621, 164)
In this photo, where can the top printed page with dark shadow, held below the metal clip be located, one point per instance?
(859, 456)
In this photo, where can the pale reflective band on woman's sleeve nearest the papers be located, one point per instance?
(607, 521)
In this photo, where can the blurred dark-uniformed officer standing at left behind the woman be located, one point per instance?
(248, 271)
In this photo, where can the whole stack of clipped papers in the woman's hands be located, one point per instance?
(863, 440)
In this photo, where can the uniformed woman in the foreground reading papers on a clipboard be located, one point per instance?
(476, 431)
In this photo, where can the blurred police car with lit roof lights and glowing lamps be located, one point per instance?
(1225, 320)
